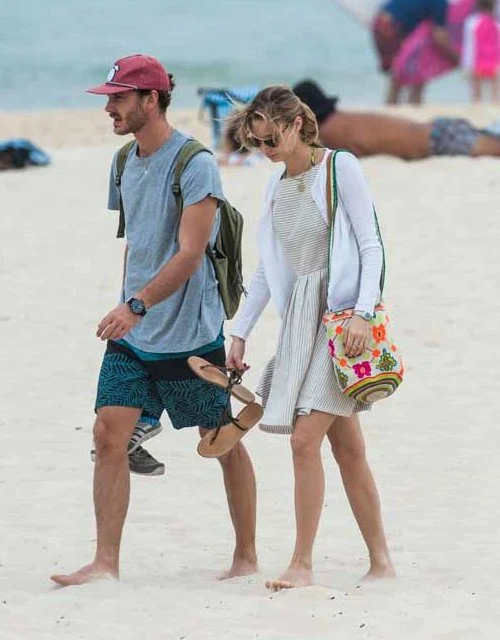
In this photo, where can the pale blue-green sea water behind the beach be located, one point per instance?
(52, 50)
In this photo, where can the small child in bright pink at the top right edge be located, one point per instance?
(481, 51)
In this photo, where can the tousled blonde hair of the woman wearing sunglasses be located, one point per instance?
(275, 105)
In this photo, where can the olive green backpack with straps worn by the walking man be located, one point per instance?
(225, 256)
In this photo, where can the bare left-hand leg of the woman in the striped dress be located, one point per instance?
(309, 433)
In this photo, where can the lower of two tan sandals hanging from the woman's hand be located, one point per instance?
(219, 441)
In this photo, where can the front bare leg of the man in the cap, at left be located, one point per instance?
(112, 430)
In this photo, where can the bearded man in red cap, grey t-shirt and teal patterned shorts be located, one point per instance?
(170, 309)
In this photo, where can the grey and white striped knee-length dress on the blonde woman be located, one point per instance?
(300, 377)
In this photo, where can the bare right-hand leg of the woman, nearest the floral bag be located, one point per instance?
(348, 446)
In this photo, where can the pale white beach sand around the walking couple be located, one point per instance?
(434, 446)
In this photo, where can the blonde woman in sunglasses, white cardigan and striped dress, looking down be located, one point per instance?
(298, 388)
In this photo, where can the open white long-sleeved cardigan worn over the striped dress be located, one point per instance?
(357, 255)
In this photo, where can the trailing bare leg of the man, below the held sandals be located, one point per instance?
(241, 492)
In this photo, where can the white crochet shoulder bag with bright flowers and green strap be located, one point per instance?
(378, 371)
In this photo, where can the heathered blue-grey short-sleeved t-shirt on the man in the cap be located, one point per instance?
(193, 315)
